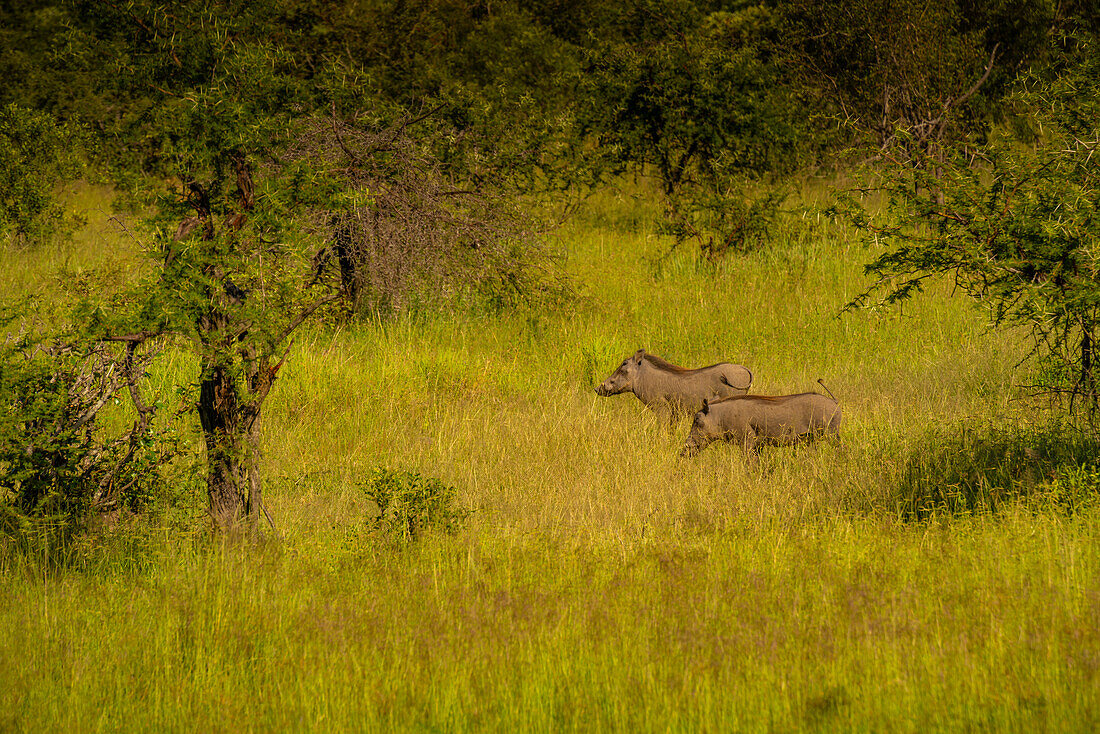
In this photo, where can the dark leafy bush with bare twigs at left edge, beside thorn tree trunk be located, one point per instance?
(59, 461)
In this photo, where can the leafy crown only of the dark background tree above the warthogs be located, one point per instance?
(695, 95)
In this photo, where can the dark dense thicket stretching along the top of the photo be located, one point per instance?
(696, 89)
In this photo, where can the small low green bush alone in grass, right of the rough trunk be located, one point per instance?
(411, 505)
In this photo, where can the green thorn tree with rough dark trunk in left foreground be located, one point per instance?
(210, 106)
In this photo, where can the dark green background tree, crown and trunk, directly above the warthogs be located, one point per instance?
(698, 100)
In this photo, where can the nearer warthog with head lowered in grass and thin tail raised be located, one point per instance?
(754, 420)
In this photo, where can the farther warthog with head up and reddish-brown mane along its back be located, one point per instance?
(670, 391)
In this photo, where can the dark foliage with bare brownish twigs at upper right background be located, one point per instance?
(875, 67)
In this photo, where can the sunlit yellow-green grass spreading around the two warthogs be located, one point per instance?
(601, 582)
